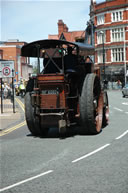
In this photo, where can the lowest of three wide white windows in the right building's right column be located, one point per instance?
(117, 55)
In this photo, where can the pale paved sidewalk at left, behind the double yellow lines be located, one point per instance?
(8, 118)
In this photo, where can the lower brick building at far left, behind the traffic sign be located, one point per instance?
(11, 50)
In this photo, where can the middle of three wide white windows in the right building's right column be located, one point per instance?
(117, 35)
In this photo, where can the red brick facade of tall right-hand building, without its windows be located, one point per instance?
(106, 8)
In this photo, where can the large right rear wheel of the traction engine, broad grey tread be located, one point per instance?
(91, 105)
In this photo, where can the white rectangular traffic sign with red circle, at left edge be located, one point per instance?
(7, 69)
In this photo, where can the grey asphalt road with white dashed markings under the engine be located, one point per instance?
(74, 164)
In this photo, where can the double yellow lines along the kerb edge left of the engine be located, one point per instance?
(6, 131)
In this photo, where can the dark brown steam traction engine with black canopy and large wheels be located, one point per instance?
(67, 91)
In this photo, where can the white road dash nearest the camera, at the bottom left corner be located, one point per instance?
(24, 181)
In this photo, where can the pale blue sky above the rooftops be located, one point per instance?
(31, 20)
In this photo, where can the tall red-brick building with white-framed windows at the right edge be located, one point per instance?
(111, 38)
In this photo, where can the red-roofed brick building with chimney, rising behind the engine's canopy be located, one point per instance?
(65, 34)
